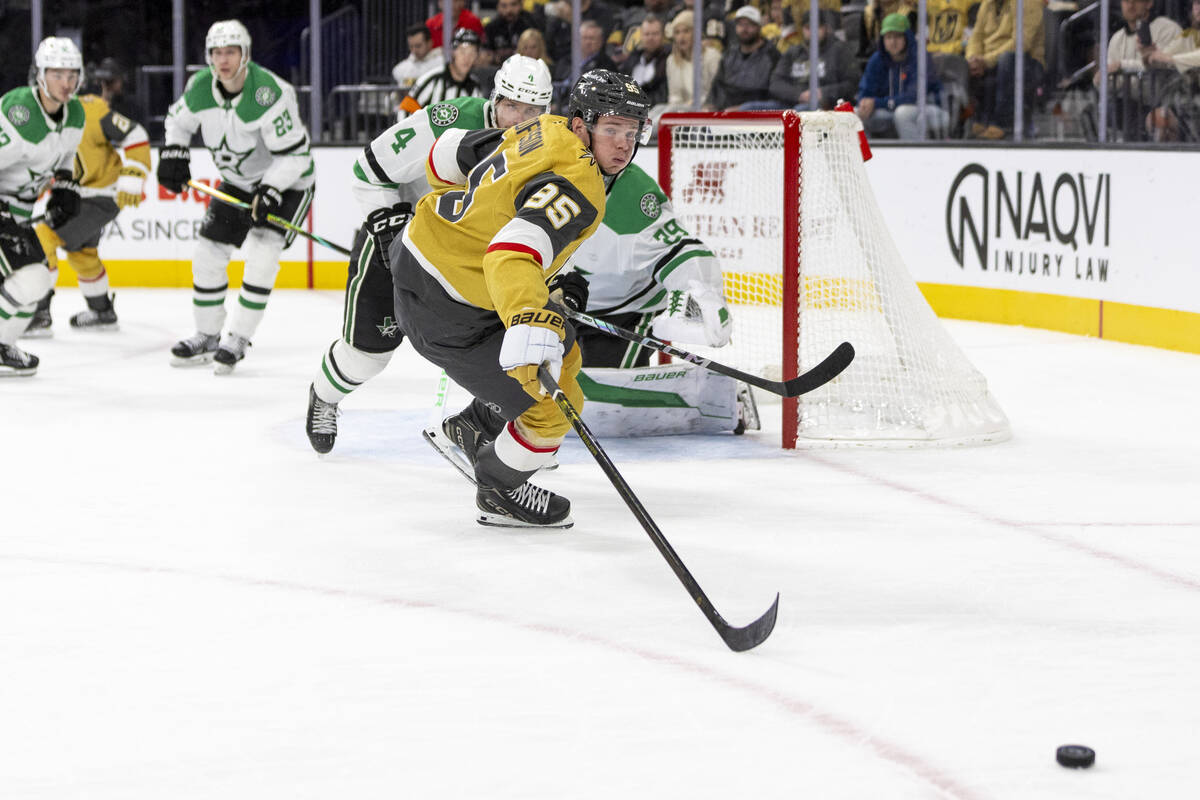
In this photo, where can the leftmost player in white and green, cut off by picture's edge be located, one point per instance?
(40, 130)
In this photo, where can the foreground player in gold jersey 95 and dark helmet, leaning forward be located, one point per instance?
(472, 274)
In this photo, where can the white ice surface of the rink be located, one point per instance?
(193, 605)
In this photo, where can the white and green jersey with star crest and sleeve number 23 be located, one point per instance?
(255, 137)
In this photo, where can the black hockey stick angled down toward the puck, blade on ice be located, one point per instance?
(737, 639)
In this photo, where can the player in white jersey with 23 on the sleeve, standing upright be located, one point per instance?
(249, 121)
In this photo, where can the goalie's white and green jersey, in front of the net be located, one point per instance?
(640, 251)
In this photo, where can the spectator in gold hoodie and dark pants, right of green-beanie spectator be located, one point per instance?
(992, 62)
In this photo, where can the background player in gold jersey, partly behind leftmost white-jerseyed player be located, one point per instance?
(111, 167)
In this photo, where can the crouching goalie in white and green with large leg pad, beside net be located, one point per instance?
(646, 273)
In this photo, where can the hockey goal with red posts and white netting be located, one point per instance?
(784, 202)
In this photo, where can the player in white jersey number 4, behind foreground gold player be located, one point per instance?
(389, 179)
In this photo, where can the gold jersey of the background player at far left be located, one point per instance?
(111, 142)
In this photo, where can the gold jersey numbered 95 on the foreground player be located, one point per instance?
(512, 208)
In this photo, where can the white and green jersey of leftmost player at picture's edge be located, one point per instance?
(33, 146)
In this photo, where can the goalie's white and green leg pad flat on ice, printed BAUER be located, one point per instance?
(659, 401)
